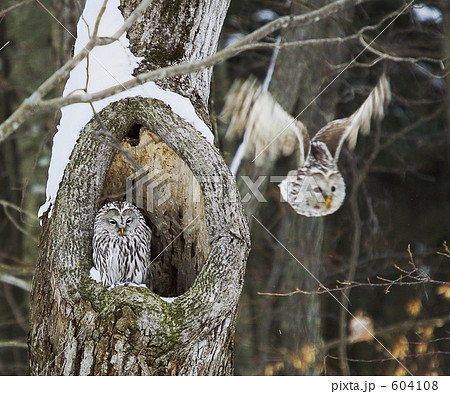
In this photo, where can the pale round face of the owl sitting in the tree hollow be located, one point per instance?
(119, 220)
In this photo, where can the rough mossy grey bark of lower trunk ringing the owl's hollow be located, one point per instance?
(129, 330)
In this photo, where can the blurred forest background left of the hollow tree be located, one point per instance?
(36, 45)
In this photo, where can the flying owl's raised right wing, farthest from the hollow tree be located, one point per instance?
(336, 132)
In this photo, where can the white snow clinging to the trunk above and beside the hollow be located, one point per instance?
(106, 66)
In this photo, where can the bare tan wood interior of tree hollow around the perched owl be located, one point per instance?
(148, 173)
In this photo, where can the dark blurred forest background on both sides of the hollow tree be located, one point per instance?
(398, 187)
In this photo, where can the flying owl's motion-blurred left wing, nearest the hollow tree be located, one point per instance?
(269, 131)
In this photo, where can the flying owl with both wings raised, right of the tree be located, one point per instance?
(317, 187)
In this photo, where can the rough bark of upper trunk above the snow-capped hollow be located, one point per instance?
(173, 32)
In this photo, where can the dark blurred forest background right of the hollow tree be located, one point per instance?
(398, 187)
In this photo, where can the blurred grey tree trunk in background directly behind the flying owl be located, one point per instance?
(298, 79)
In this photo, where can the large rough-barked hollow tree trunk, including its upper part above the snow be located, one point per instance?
(80, 327)
